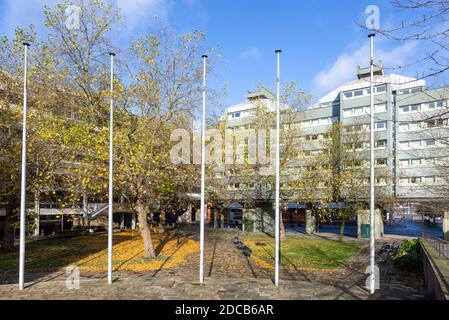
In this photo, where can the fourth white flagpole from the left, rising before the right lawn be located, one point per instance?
(277, 213)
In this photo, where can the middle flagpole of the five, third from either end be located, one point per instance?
(203, 172)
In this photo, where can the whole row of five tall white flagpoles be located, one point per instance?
(203, 173)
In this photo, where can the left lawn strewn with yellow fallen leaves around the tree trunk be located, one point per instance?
(90, 253)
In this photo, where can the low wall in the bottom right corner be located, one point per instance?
(436, 272)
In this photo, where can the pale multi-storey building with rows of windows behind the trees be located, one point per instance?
(411, 130)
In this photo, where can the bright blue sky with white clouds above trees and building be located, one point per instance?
(321, 40)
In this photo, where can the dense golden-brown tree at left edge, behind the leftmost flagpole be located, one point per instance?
(41, 156)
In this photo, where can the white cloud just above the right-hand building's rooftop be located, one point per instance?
(344, 68)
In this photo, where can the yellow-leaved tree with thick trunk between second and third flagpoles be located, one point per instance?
(163, 97)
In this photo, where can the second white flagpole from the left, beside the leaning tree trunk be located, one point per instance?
(111, 167)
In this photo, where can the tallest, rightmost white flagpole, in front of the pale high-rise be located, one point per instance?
(372, 176)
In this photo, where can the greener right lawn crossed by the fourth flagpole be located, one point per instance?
(302, 253)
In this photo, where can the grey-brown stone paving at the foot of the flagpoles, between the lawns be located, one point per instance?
(228, 275)
